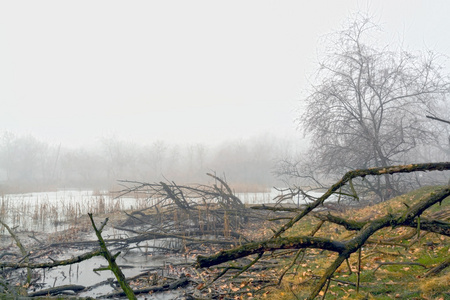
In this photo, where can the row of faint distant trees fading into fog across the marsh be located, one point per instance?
(29, 164)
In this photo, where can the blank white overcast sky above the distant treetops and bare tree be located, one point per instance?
(179, 71)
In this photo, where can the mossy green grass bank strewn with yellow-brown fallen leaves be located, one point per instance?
(389, 245)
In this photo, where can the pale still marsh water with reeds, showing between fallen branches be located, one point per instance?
(56, 212)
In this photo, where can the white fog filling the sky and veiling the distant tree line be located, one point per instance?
(92, 92)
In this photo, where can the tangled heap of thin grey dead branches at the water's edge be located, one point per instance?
(192, 208)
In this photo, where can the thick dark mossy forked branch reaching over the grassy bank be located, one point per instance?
(364, 229)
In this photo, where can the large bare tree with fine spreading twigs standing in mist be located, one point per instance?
(368, 106)
